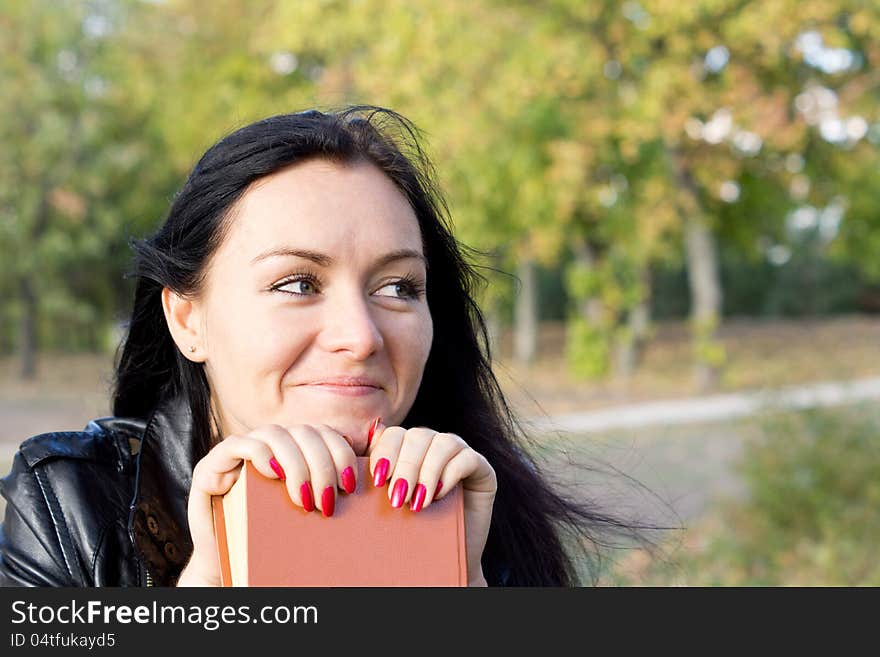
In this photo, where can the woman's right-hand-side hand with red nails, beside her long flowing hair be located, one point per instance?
(421, 465)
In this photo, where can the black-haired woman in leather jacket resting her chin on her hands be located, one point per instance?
(303, 303)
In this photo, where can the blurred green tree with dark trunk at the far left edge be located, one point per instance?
(53, 162)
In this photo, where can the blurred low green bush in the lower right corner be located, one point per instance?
(811, 516)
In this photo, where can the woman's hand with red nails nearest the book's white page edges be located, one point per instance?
(313, 461)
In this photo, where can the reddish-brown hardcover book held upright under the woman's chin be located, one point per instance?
(264, 539)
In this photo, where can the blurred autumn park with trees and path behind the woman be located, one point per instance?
(677, 207)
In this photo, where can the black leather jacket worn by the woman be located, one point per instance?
(105, 506)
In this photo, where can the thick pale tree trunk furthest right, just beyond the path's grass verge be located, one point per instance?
(705, 288)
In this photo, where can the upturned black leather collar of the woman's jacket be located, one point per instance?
(157, 523)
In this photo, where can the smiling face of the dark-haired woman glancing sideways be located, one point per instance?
(310, 290)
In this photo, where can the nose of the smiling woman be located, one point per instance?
(348, 325)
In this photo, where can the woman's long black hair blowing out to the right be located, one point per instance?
(533, 525)
